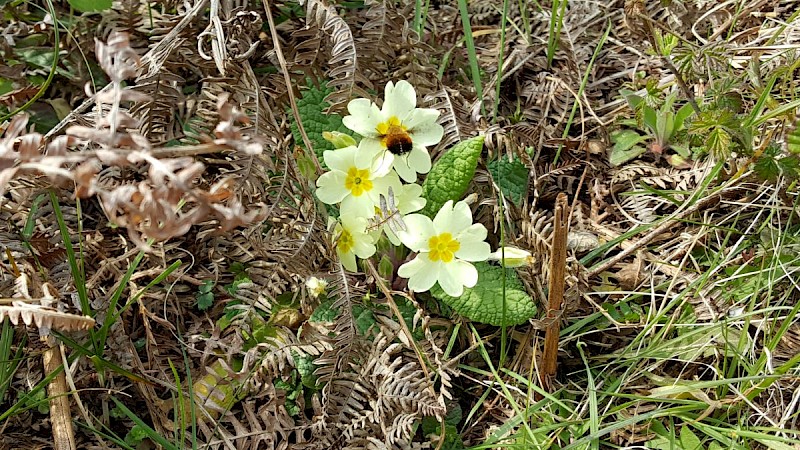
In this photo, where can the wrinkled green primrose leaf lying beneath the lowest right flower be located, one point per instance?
(484, 302)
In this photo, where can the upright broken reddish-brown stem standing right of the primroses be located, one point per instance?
(558, 263)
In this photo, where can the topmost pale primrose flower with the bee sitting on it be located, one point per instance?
(399, 132)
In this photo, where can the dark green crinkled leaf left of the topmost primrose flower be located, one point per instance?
(312, 106)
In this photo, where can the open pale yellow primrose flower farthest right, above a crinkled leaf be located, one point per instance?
(444, 245)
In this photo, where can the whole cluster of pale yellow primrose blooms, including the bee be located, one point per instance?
(374, 183)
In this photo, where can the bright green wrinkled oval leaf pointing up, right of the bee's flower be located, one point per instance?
(450, 175)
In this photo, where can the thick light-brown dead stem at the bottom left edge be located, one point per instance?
(60, 415)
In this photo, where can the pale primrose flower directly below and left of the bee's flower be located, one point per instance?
(357, 186)
